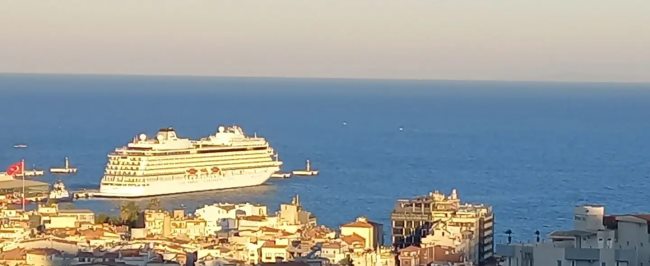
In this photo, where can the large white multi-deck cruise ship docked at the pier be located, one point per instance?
(169, 164)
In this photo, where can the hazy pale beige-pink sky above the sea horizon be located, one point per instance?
(576, 40)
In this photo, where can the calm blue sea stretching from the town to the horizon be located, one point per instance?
(532, 150)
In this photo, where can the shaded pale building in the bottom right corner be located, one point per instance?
(597, 239)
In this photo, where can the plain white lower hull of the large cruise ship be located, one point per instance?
(184, 184)
